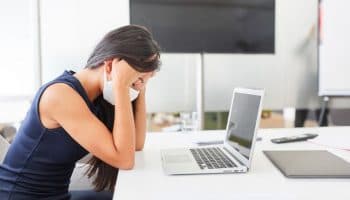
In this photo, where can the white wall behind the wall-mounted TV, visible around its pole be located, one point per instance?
(70, 29)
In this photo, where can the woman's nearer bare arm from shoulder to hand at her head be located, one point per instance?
(60, 103)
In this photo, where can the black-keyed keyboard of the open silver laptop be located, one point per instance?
(211, 158)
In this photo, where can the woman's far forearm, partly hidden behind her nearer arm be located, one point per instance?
(139, 107)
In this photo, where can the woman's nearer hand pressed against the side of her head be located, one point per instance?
(123, 74)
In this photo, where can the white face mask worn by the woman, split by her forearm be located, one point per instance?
(108, 93)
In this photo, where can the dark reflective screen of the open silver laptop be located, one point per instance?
(242, 121)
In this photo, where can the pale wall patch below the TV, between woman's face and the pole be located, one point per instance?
(174, 87)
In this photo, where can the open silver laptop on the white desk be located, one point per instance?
(235, 155)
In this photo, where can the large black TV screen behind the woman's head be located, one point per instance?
(213, 26)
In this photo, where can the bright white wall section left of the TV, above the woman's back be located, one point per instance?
(71, 28)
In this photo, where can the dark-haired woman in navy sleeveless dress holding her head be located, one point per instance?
(98, 110)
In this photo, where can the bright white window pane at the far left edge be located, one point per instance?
(17, 80)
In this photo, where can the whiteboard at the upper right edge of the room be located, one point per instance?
(335, 49)
